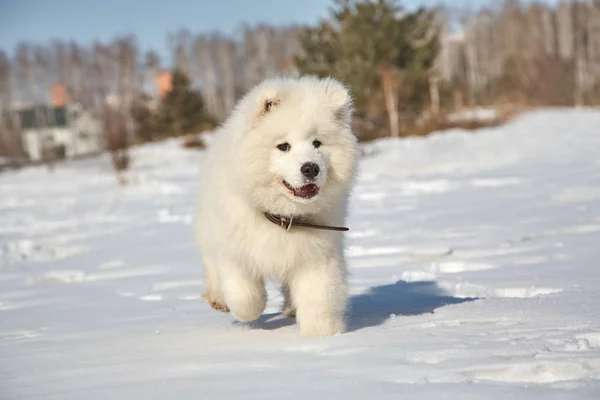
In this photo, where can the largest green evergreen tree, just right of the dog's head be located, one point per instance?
(369, 45)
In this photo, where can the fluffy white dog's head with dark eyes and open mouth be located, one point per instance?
(296, 149)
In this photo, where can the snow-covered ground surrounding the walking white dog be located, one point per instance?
(474, 260)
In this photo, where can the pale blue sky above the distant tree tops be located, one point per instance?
(150, 20)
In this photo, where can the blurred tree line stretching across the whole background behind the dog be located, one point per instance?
(402, 67)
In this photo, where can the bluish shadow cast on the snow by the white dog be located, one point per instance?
(380, 303)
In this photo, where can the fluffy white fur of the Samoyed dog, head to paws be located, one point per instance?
(242, 178)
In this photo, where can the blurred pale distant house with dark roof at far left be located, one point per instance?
(59, 131)
